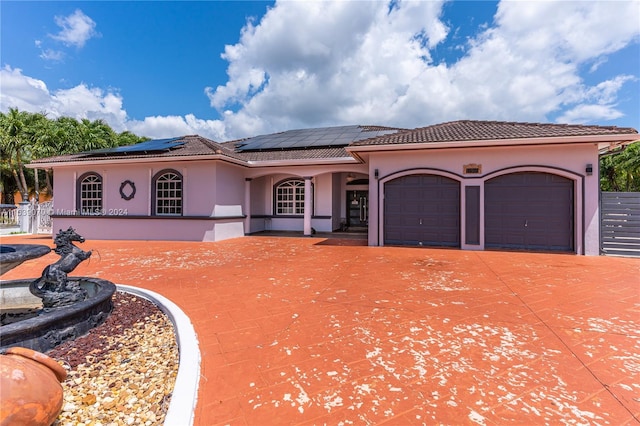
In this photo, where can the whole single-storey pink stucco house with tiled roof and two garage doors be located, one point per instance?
(474, 185)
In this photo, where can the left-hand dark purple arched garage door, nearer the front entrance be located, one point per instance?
(422, 210)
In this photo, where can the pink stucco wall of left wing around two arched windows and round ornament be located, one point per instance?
(203, 183)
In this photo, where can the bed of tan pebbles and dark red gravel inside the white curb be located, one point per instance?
(123, 371)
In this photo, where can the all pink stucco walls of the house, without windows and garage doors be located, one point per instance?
(215, 193)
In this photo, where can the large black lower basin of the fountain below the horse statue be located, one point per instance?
(56, 325)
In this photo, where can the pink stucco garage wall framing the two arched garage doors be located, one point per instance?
(569, 161)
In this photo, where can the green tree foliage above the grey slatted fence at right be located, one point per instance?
(620, 170)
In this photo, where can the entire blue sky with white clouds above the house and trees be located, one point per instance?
(226, 69)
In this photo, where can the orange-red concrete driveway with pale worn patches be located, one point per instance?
(316, 331)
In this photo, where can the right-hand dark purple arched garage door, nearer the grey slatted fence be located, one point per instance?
(529, 211)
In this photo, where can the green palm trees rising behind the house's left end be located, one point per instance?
(26, 136)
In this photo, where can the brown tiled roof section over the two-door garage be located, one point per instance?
(467, 130)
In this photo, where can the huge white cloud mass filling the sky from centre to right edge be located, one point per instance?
(353, 62)
